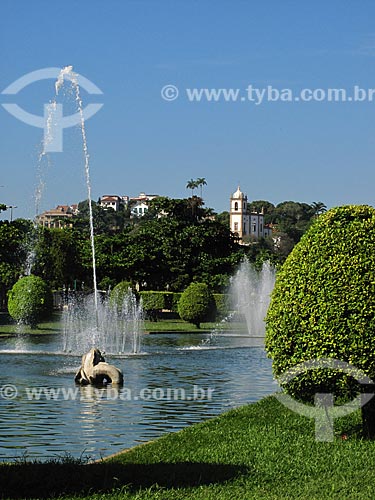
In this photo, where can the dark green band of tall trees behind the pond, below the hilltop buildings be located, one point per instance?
(177, 242)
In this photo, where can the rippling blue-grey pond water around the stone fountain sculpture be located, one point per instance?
(177, 380)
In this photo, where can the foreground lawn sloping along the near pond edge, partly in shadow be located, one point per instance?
(259, 451)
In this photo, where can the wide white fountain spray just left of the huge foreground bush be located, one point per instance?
(250, 293)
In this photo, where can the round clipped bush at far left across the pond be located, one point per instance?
(30, 300)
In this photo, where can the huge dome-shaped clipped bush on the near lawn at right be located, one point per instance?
(323, 303)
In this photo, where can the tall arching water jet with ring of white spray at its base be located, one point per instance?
(92, 321)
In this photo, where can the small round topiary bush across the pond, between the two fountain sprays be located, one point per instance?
(196, 303)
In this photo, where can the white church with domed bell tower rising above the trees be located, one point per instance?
(244, 223)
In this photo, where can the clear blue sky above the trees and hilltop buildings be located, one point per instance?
(302, 151)
